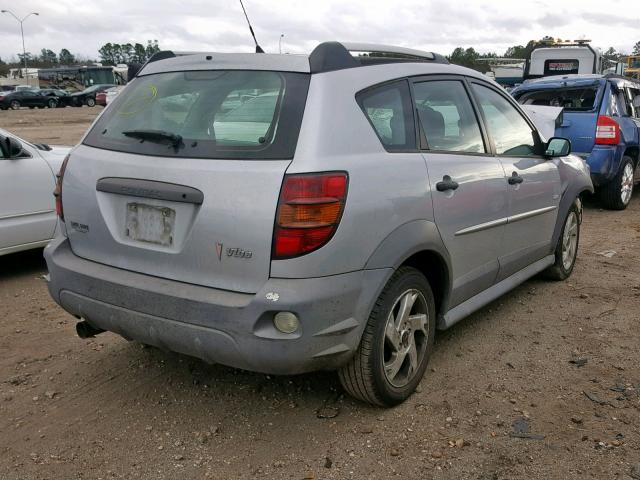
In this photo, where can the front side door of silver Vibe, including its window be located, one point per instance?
(533, 181)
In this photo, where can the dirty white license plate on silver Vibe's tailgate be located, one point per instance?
(147, 223)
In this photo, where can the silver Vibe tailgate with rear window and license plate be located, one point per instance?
(198, 204)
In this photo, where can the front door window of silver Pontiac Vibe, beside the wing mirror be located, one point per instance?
(510, 132)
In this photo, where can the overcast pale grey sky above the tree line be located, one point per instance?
(82, 26)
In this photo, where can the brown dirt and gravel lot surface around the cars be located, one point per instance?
(560, 358)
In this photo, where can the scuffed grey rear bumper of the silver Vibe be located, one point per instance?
(218, 326)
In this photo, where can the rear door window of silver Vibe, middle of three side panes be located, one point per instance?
(447, 117)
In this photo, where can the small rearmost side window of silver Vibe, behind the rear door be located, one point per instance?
(388, 109)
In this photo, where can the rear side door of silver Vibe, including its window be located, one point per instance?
(468, 185)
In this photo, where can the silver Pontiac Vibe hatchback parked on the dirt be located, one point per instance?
(289, 213)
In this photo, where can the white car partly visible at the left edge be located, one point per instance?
(27, 180)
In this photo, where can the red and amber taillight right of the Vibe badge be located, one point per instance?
(309, 211)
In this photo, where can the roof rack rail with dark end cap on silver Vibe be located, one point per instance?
(331, 56)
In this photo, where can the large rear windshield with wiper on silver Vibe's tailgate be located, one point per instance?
(206, 114)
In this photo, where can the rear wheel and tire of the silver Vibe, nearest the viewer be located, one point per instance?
(384, 371)
